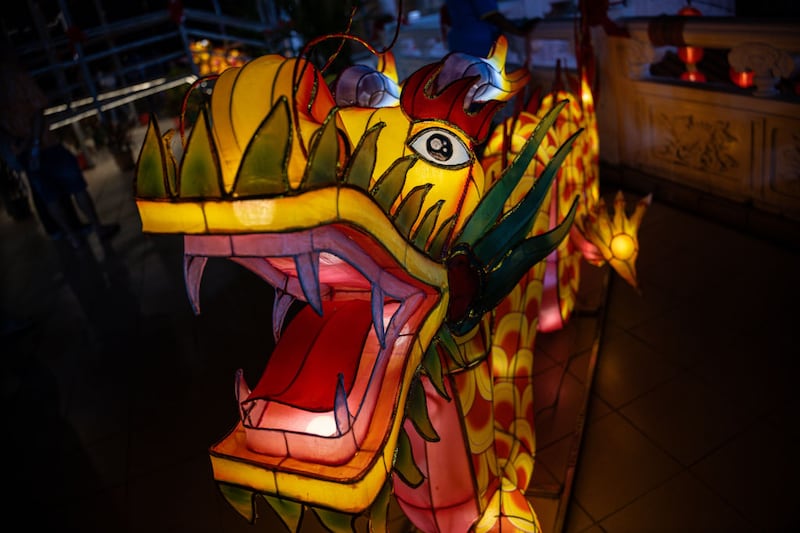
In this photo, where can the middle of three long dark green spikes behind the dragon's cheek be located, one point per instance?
(516, 224)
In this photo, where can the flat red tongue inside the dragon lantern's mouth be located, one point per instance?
(304, 368)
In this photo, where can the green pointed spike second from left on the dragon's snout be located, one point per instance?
(200, 172)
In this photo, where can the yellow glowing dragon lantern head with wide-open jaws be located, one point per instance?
(375, 217)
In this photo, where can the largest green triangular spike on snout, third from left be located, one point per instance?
(264, 167)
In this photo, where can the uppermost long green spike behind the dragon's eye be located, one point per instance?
(491, 205)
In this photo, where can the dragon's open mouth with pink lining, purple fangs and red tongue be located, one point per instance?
(331, 390)
